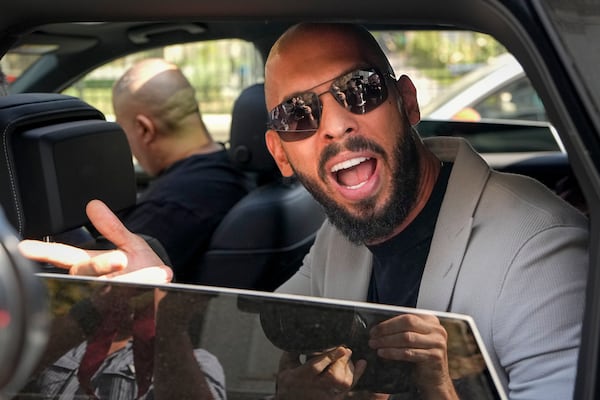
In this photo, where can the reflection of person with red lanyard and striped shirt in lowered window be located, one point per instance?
(124, 342)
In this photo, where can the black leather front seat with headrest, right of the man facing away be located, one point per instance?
(262, 240)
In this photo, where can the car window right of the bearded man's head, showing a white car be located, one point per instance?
(470, 77)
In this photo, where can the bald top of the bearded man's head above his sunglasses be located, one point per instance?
(307, 46)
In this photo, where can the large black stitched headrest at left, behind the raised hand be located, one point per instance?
(58, 153)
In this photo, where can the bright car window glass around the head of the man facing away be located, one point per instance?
(218, 70)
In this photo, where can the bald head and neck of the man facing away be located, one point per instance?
(156, 106)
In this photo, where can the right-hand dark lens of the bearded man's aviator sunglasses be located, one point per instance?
(360, 91)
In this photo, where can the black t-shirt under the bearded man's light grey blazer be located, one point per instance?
(398, 263)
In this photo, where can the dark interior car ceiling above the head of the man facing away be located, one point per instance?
(74, 49)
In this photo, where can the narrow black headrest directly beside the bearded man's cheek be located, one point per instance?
(248, 126)
